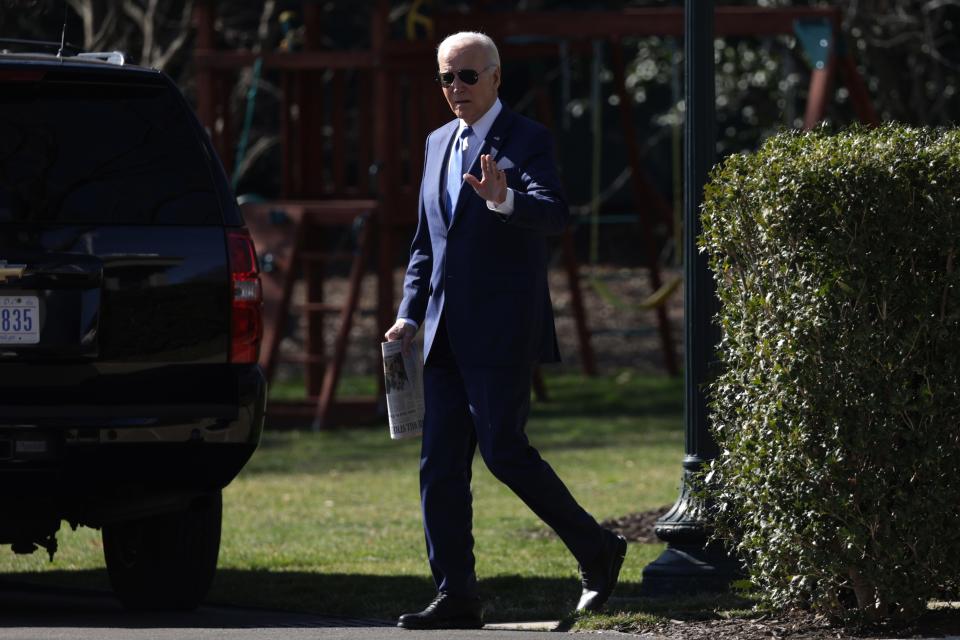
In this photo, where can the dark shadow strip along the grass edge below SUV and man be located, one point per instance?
(46, 598)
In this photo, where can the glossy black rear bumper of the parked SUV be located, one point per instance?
(92, 465)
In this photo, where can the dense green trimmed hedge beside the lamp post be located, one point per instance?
(838, 409)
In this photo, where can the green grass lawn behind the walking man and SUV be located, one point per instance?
(330, 523)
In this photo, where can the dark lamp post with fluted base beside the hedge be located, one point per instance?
(689, 564)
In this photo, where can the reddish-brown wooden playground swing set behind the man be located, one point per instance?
(353, 124)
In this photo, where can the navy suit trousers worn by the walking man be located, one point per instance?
(485, 406)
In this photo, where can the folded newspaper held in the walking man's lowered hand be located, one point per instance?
(403, 380)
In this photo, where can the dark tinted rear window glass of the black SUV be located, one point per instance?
(96, 153)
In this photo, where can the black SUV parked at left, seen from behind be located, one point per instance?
(130, 322)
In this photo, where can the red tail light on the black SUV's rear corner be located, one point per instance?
(246, 328)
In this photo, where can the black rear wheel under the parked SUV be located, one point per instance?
(168, 561)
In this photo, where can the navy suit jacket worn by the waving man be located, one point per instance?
(487, 273)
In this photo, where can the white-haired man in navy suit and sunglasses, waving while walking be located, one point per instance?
(477, 283)
